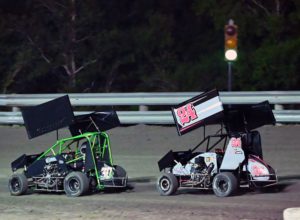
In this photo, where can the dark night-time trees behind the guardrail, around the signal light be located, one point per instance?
(146, 45)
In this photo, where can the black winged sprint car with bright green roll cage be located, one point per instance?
(76, 165)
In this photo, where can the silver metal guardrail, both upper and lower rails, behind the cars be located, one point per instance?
(150, 99)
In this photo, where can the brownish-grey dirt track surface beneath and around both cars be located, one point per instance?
(138, 148)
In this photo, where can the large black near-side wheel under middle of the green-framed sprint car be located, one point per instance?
(76, 184)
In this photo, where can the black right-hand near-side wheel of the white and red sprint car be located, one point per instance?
(224, 184)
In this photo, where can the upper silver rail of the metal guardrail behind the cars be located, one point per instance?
(164, 98)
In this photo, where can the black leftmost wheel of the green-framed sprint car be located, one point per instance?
(18, 184)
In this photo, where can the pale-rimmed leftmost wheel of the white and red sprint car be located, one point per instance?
(167, 184)
